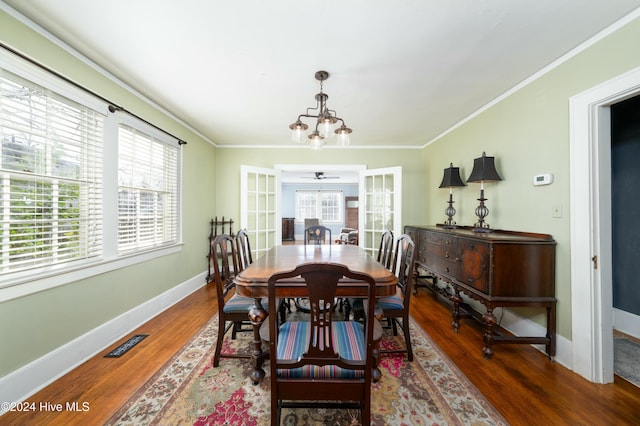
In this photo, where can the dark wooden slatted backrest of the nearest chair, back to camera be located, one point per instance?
(321, 281)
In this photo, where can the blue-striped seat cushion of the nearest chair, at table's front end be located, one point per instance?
(348, 340)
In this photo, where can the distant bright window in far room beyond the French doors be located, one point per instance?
(325, 205)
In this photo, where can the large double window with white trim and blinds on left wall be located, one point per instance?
(83, 191)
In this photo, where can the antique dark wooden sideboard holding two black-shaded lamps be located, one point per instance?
(498, 269)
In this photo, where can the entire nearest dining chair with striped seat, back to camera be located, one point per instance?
(321, 361)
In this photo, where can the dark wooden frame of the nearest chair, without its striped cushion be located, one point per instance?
(322, 281)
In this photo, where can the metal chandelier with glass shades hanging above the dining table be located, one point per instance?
(325, 121)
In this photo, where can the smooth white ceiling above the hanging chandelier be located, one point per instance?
(402, 72)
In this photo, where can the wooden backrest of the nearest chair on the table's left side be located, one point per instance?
(225, 266)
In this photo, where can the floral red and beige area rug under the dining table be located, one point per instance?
(188, 390)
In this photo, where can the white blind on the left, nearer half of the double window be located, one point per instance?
(51, 170)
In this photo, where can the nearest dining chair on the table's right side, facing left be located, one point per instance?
(396, 307)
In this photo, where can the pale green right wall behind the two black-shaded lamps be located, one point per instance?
(528, 133)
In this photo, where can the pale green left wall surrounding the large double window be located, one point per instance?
(34, 325)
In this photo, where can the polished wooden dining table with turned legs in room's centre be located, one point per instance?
(253, 282)
